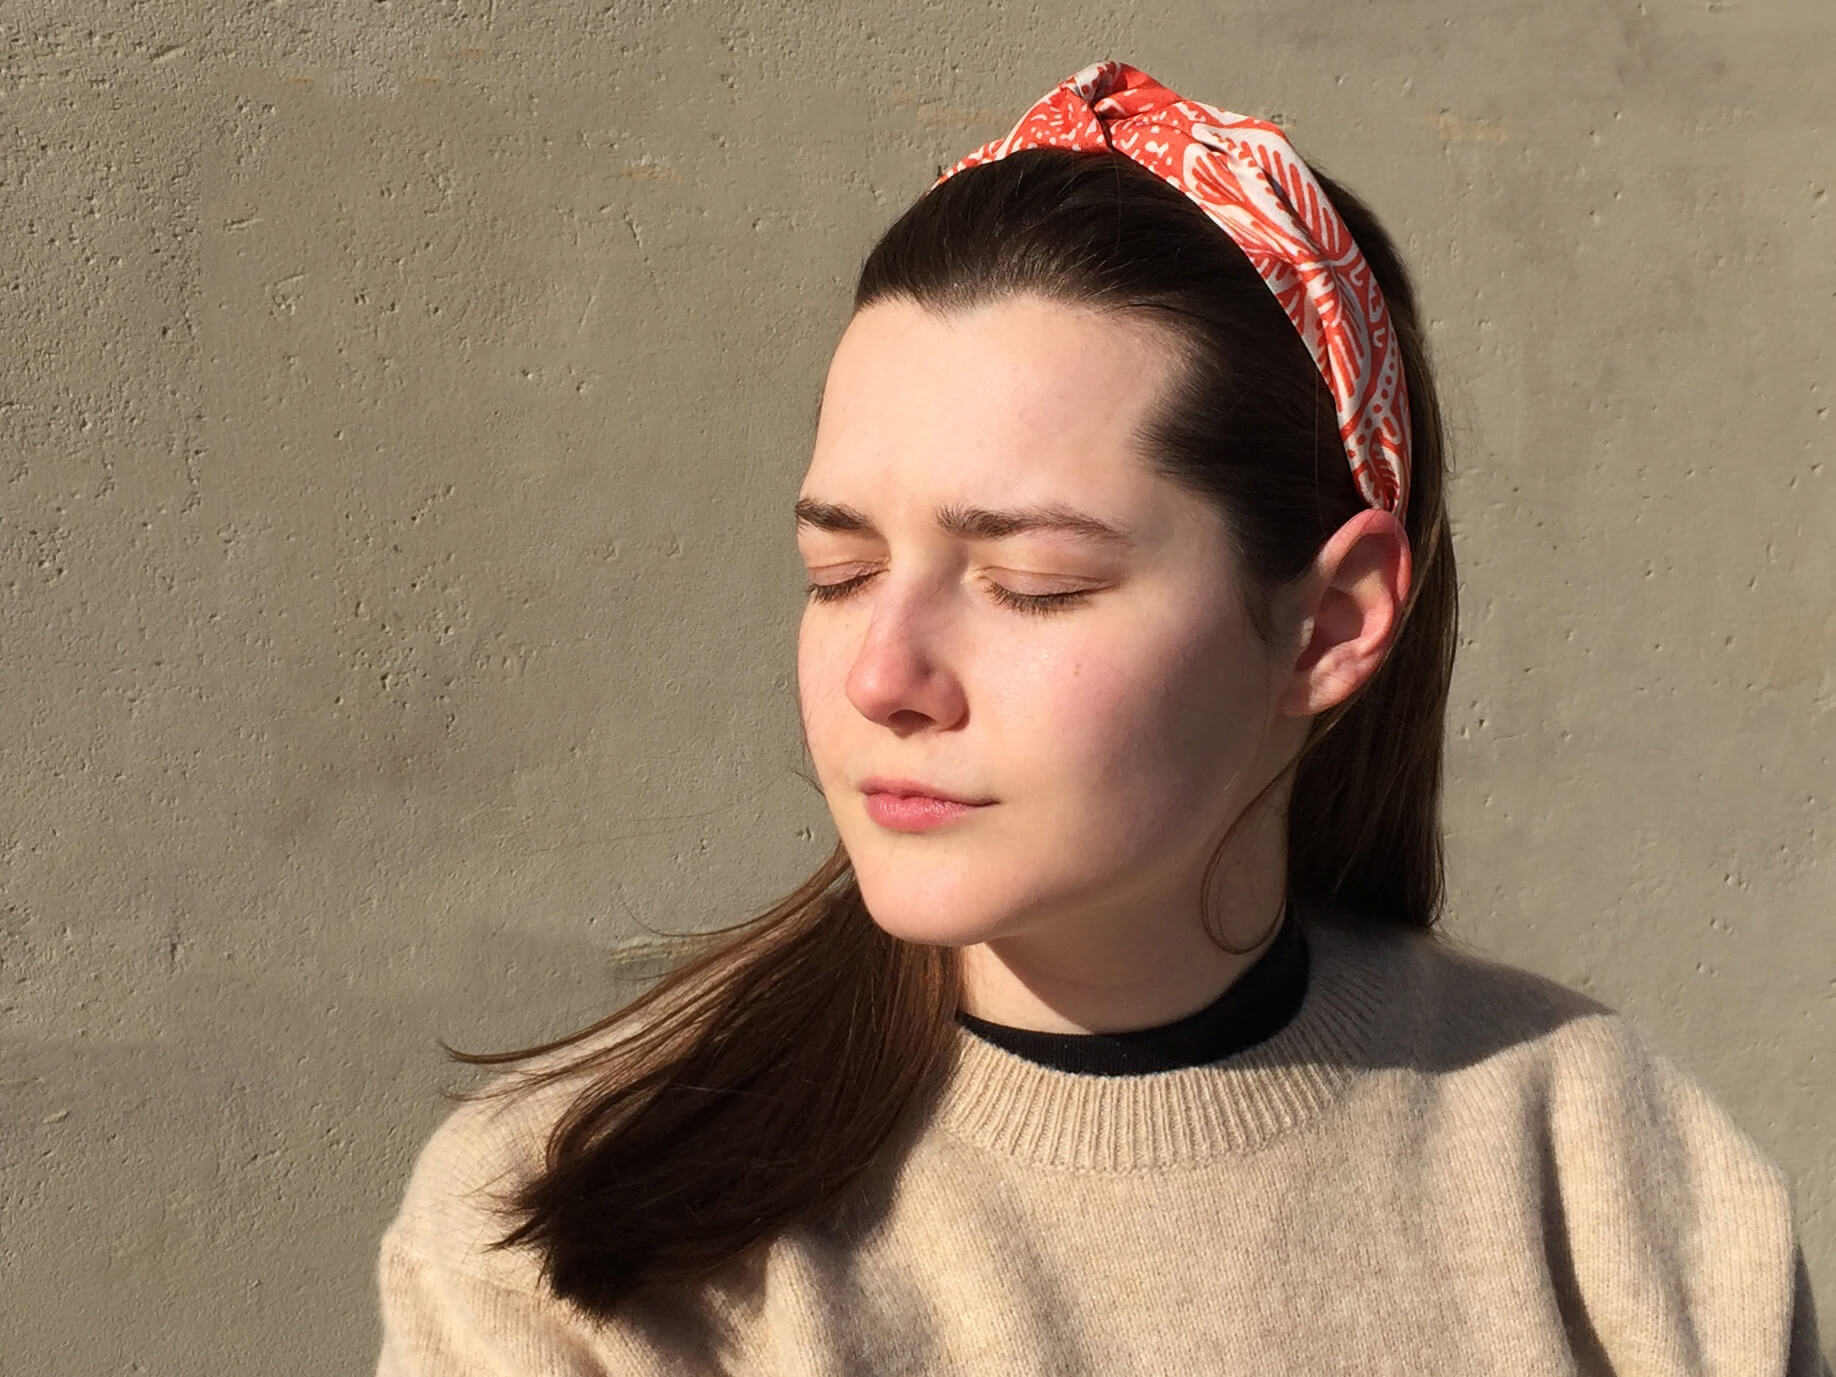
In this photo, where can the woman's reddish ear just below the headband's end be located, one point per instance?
(1352, 605)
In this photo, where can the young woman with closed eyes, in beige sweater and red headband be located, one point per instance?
(1115, 1036)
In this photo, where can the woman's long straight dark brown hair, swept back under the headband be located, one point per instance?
(763, 1077)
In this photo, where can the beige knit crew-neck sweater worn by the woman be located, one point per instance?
(1440, 1167)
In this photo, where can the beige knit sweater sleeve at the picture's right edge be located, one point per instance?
(1679, 1233)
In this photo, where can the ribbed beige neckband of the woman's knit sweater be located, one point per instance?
(1007, 1104)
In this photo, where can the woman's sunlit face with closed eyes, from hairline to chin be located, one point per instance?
(1110, 733)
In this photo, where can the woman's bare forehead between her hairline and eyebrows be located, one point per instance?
(1016, 401)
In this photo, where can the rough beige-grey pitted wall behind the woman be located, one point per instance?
(401, 409)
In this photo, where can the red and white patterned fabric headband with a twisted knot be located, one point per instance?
(1249, 181)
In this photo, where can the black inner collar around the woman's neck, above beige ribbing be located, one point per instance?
(1255, 1009)
